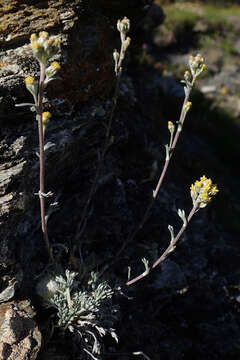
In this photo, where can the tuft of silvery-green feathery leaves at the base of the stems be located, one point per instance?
(88, 311)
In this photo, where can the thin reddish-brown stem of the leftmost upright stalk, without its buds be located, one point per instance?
(42, 159)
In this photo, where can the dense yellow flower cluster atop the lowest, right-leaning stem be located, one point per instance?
(202, 191)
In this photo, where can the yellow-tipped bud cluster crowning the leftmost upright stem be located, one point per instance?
(43, 46)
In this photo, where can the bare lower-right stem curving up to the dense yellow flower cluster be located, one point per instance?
(169, 249)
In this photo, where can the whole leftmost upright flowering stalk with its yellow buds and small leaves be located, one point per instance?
(43, 48)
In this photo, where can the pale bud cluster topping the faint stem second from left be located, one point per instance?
(123, 27)
